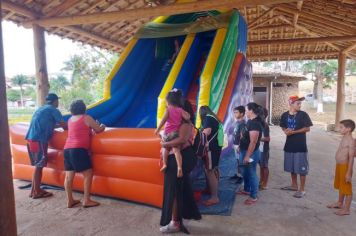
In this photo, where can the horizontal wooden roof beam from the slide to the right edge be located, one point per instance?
(304, 40)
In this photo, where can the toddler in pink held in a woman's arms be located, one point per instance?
(172, 120)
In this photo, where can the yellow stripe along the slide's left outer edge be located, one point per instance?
(107, 82)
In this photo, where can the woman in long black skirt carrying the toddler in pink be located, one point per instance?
(178, 198)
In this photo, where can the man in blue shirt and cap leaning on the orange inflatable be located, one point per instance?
(44, 121)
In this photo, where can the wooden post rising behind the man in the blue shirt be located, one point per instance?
(42, 84)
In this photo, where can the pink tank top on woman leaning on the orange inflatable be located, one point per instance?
(78, 134)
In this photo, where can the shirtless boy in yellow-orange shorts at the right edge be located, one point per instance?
(344, 164)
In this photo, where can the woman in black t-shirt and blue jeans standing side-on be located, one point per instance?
(249, 151)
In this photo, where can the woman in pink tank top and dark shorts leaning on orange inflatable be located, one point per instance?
(76, 152)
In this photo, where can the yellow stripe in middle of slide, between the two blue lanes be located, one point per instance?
(172, 77)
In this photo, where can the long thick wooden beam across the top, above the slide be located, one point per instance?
(132, 14)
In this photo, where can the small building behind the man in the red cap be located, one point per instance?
(282, 89)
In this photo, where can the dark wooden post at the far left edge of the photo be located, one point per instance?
(7, 199)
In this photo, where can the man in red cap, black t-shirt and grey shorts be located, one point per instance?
(295, 124)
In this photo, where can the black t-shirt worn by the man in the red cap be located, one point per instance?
(296, 142)
